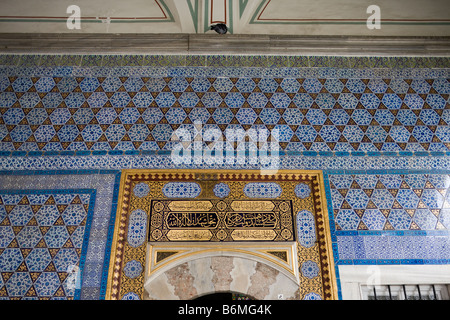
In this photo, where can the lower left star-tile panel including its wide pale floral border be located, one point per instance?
(56, 229)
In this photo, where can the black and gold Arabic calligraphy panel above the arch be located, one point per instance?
(224, 220)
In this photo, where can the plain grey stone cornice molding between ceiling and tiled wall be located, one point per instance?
(223, 44)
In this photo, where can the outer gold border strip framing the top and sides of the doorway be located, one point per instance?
(321, 215)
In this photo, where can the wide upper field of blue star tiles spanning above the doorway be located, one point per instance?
(141, 113)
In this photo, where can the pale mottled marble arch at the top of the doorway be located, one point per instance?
(196, 275)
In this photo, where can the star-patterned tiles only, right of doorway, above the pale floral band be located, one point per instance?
(391, 201)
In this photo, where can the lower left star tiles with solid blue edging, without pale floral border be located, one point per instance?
(43, 242)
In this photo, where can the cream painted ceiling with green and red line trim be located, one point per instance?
(284, 17)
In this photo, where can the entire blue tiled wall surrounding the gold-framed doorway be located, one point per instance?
(377, 127)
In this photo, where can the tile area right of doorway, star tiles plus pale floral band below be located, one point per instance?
(390, 217)
